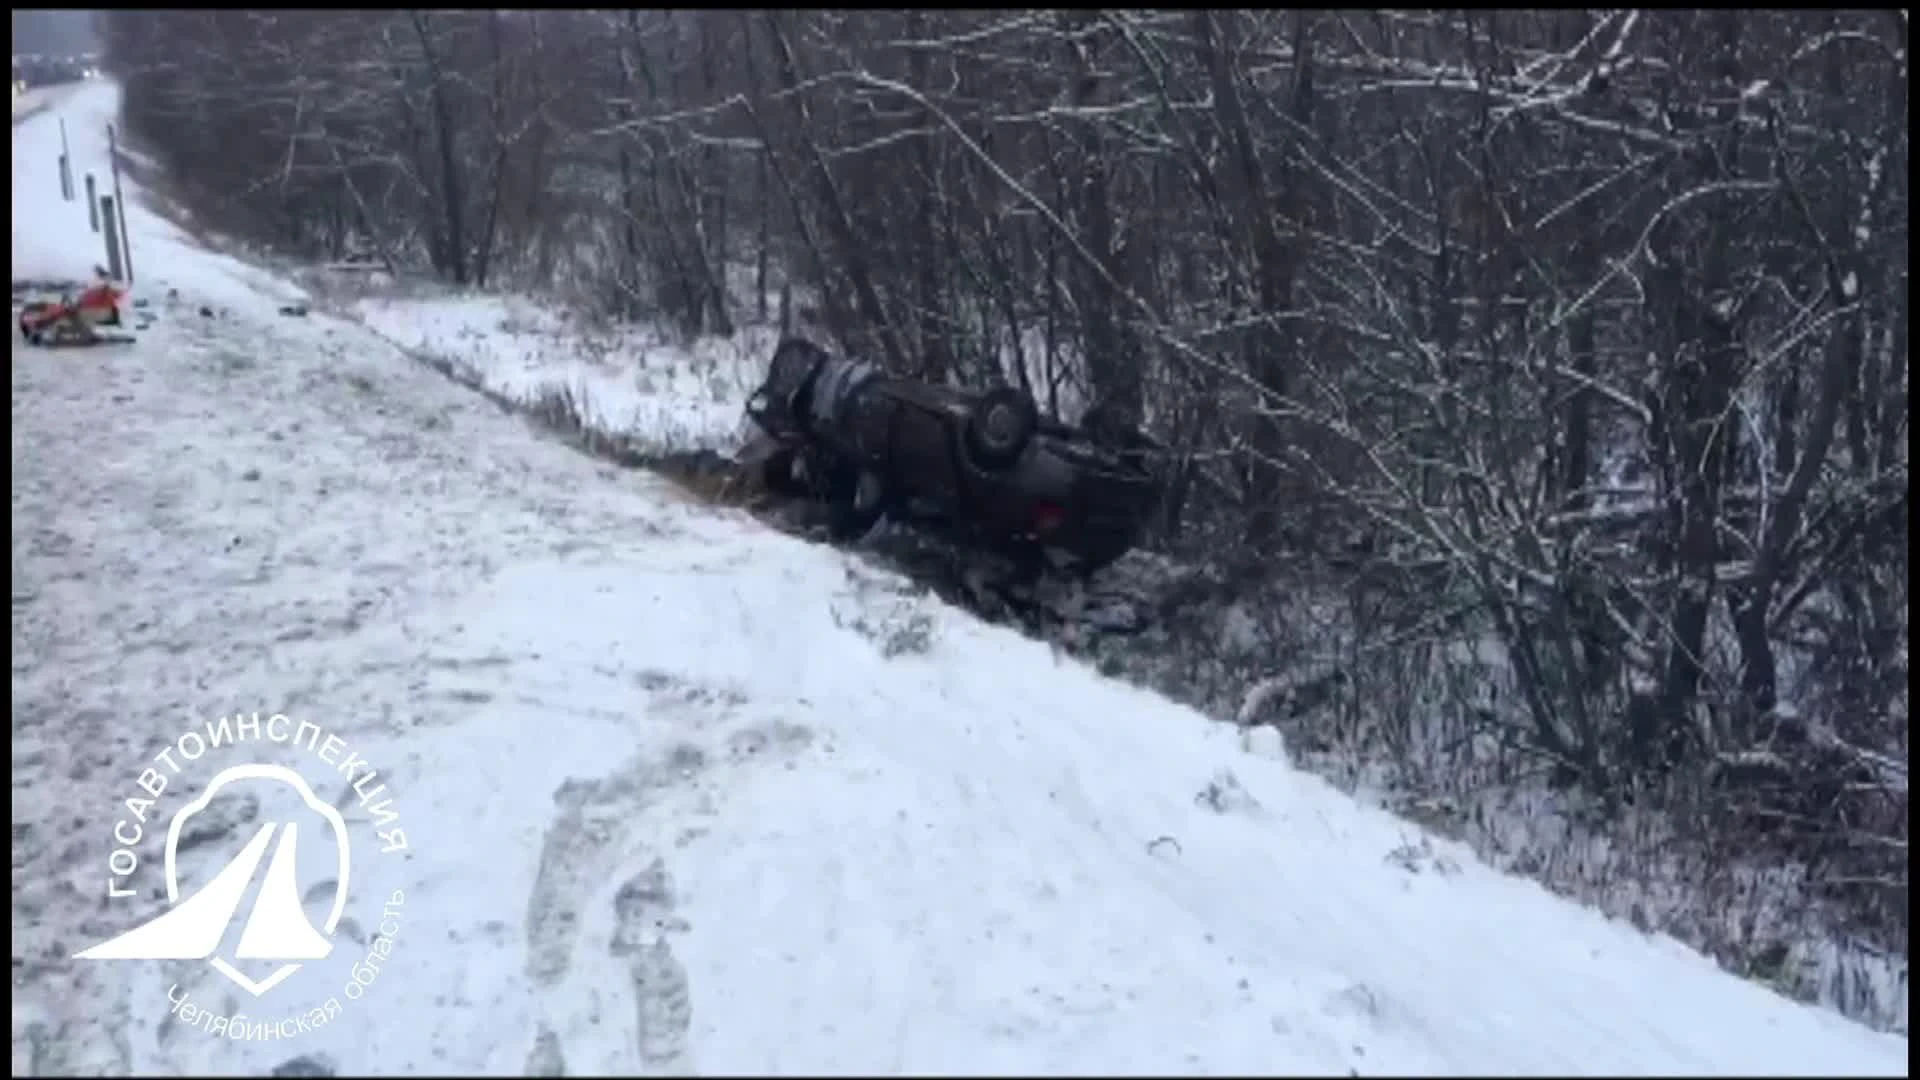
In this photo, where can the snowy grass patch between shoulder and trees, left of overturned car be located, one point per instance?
(631, 383)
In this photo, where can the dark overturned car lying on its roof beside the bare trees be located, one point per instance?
(984, 468)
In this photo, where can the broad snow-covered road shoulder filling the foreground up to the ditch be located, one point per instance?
(688, 797)
